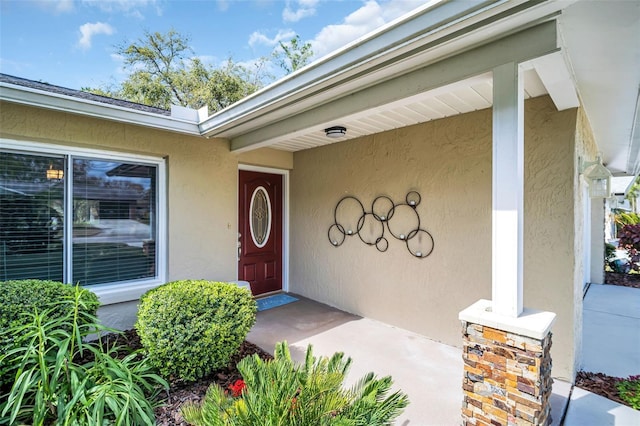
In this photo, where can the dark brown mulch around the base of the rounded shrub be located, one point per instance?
(168, 414)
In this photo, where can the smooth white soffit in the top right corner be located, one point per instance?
(602, 41)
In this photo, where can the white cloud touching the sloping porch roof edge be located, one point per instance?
(371, 16)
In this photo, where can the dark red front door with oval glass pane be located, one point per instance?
(260, 231)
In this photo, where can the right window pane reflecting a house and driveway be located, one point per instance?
(113, 226)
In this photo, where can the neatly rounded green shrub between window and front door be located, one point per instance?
(191, 328)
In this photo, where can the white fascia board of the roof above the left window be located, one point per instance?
(53, 101)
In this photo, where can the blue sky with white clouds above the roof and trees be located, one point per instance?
(72, 43)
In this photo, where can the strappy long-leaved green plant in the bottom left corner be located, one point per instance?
(60, 378)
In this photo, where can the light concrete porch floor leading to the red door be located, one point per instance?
(429, 372)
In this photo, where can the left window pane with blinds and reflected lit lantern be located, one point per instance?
(31, 216)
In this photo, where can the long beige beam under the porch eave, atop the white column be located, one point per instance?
(531, 43)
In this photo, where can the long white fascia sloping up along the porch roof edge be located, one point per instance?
(403, 35)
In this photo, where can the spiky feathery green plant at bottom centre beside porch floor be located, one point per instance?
(279, 392)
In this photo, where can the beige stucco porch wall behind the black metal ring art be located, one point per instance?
(449, 163)
